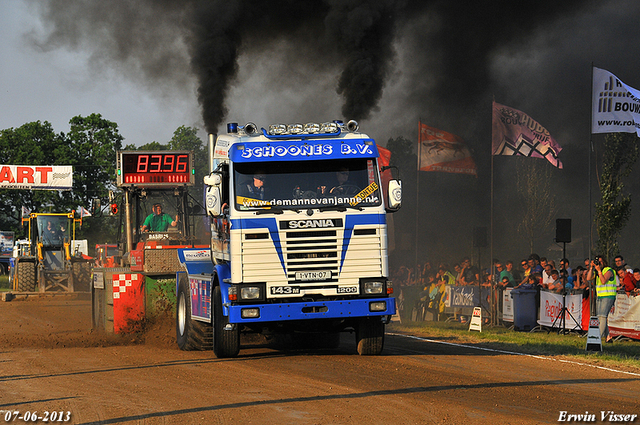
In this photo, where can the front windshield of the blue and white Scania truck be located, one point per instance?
(306, 184)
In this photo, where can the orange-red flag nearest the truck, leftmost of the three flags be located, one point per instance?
(445, 152)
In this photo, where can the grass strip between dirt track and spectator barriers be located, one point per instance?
(621, 354)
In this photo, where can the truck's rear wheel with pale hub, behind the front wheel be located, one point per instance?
(191, 335)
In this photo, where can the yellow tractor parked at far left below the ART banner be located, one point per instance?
(46, 263)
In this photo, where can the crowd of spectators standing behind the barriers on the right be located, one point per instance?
(428, 283)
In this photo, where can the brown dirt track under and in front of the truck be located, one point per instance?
(51, 361)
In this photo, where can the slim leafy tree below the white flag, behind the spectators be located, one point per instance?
(614, 210)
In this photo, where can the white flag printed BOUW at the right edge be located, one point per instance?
(615, 106)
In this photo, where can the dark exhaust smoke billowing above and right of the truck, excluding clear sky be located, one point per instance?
(387, 64)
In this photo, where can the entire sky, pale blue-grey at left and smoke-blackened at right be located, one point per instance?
(152, 66)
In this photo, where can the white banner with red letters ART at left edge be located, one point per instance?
(52, 177)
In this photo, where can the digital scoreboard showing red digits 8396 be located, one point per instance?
(155, 168)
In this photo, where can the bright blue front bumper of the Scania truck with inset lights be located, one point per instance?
(313, 310)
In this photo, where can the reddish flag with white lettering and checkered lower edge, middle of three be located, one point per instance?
(516, 133)
